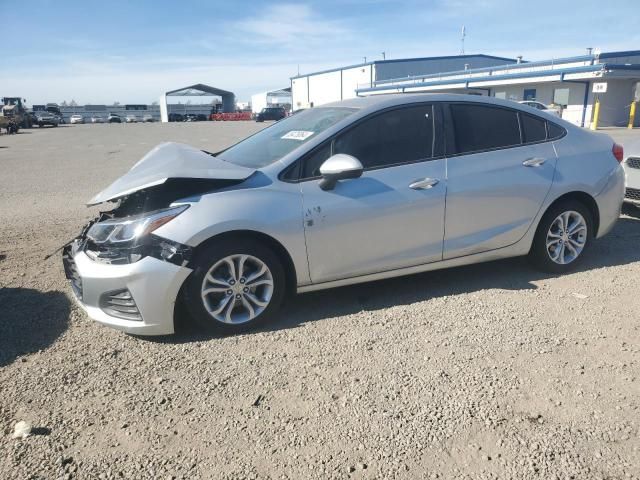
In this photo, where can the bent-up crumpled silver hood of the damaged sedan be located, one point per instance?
(170, 160)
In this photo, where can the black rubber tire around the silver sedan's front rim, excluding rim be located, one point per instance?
(207, 257)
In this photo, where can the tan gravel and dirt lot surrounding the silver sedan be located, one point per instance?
(490, 371)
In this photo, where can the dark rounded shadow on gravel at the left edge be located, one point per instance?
(31, 321)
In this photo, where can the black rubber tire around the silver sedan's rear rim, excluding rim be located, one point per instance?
(540, 256)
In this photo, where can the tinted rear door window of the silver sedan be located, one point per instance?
(482, 127)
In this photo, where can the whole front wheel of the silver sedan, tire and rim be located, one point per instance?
(236, 285)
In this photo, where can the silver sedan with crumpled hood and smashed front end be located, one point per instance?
(348, 192)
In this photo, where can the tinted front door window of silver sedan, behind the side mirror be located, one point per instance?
(398, 136)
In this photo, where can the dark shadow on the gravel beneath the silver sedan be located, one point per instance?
(619, 247)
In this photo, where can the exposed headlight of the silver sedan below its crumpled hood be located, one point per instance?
(128, 239)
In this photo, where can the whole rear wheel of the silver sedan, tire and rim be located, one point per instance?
(563, 235)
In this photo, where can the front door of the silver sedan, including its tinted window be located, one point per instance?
(393, 215)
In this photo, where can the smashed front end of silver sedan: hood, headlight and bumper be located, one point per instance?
(123, 272)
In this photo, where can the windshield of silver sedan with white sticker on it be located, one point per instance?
(274, 142)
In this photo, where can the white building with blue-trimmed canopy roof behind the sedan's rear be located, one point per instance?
(566, 82)
